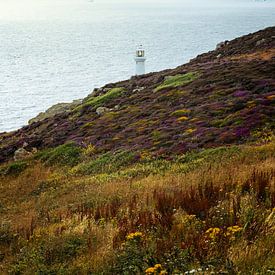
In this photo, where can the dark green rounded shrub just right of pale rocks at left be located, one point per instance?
(68, 154)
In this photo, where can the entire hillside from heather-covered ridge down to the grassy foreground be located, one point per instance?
(166, 173)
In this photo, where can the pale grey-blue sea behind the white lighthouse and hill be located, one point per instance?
(57, 51)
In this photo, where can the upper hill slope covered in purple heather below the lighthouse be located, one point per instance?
(219, 98)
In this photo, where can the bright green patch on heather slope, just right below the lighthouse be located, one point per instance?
(177, 80)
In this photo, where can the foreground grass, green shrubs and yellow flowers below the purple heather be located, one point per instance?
(123, 213)
